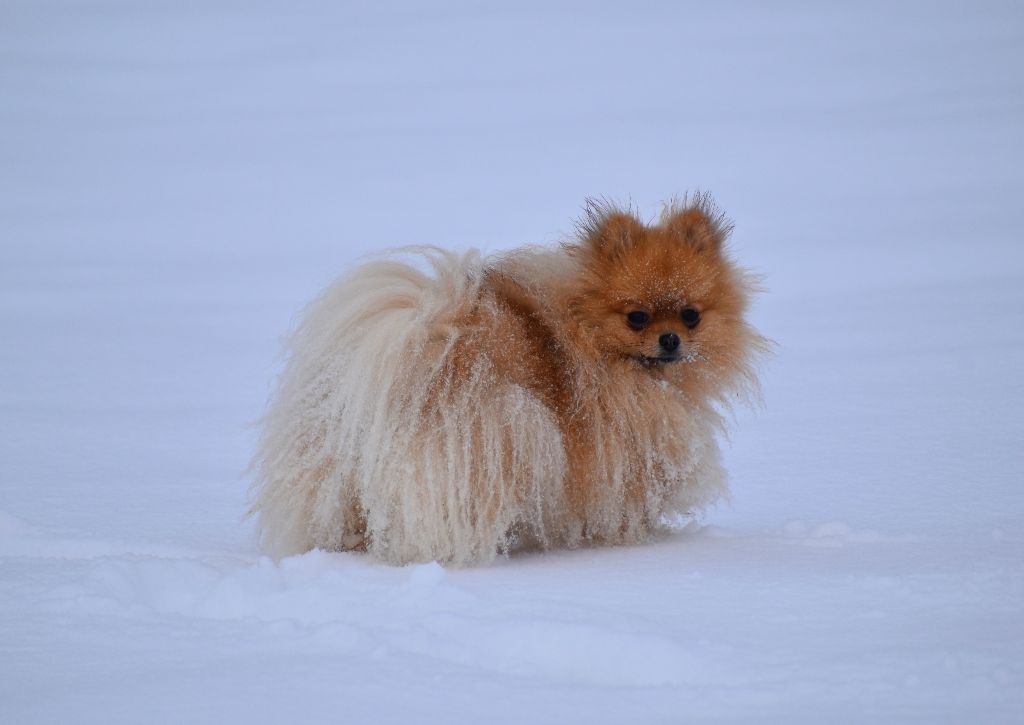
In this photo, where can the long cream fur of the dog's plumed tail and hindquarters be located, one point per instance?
(365, 444)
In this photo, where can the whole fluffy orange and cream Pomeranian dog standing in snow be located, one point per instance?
(463, 408)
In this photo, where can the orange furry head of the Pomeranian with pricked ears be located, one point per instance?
(664, 296)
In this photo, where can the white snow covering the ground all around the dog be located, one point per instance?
(179, 179)
